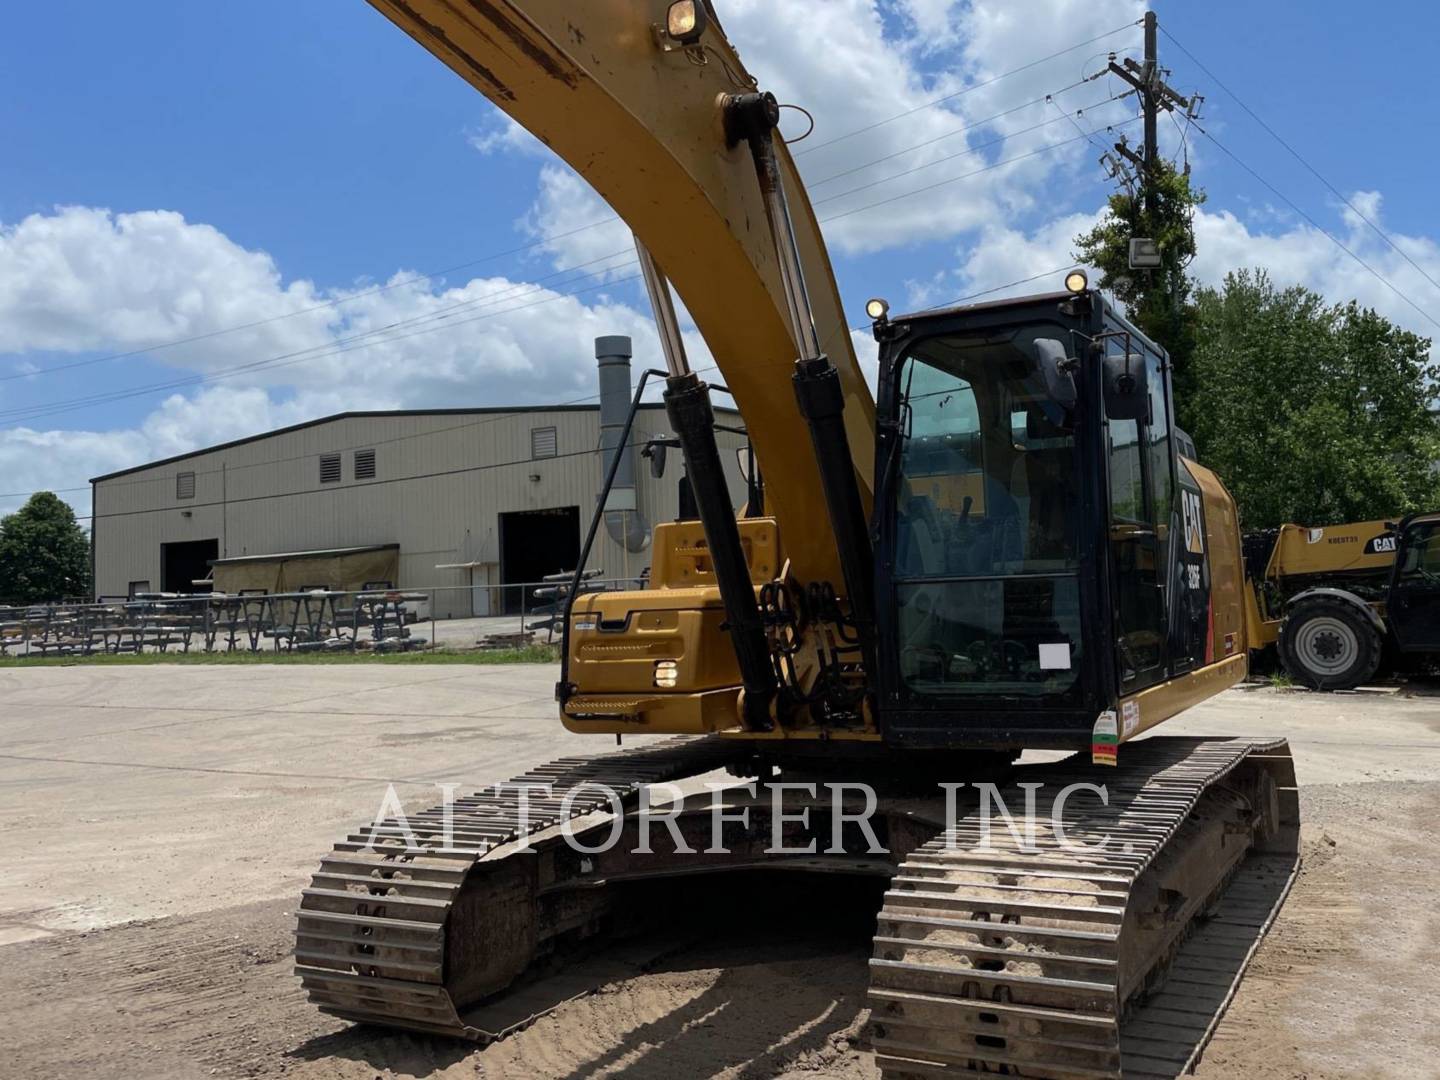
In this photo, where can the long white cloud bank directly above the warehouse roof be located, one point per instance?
(84, 280)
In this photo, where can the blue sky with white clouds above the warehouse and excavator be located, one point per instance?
(309, 150)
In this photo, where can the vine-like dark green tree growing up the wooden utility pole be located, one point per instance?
(1157, 302)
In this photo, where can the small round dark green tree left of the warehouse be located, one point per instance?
(44, 552)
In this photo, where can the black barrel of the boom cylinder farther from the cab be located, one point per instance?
(688, 401)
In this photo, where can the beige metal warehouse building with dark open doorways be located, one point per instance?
(464, 500)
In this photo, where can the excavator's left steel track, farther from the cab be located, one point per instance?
(408, 935)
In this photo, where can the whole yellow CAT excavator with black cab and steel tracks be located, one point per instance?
(1003, 551)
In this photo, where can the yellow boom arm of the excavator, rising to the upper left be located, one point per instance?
(644, 127)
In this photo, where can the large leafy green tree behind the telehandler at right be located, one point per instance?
(1313, 414)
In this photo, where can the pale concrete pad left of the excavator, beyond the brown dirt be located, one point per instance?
(116, 806)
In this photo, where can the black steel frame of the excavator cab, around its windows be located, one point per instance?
(966, 718)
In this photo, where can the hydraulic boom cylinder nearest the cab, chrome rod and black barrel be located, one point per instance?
(752, 119)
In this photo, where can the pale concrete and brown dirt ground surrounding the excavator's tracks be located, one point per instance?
(159, 826)
